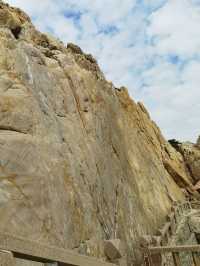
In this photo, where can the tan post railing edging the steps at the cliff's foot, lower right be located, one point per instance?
(156, 250)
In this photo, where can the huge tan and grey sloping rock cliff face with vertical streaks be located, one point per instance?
(80, 161)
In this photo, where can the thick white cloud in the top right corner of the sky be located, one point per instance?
(176, 28)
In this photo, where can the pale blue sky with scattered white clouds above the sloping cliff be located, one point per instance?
(150, 46)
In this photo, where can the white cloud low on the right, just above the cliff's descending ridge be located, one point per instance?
(173, 97)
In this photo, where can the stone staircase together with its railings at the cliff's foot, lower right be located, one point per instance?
(174, 244)
